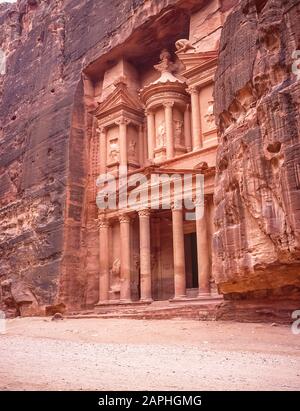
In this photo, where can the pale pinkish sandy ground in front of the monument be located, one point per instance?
(118, 354)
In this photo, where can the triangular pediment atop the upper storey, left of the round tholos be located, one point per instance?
(119, 99)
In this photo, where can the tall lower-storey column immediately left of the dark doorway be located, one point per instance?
(178, 253)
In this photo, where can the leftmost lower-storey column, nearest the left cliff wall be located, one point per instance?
(103, 225)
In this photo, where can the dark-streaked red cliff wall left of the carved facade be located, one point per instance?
(46, 220)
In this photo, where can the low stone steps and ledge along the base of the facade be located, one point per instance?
(204, 309)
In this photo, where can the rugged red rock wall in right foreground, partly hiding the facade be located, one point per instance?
(257, 194)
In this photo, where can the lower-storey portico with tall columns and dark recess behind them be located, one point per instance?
(152, 255)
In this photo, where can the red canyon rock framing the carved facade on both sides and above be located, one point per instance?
(53, 53)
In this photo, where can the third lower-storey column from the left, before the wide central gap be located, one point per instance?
(145, 255)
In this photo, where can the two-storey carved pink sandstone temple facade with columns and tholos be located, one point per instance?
(156, 116)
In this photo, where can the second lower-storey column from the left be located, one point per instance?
(125, 293)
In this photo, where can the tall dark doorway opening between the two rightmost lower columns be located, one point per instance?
(191, 263)
